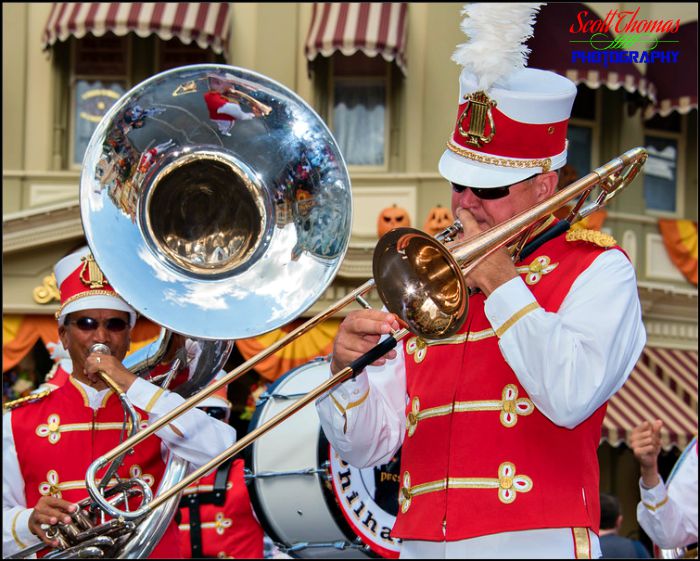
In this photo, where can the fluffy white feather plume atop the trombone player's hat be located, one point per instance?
(496, 35)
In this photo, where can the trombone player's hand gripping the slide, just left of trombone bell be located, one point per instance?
(359, 332)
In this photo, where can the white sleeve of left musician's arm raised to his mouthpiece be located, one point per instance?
(200, 437)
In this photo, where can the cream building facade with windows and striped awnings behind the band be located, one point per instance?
(382, 78)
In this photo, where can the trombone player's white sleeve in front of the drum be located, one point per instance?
(364, 418)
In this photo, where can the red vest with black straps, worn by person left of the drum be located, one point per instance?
(227, 529)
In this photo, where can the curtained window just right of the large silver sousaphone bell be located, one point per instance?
(359, 111)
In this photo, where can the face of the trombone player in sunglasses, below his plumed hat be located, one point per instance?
(489, 213)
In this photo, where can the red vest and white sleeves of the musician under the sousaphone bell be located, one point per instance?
(48, 445)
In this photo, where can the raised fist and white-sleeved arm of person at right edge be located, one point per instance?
(667, 513)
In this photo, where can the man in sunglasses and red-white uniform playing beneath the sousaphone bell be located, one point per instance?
(50, 440)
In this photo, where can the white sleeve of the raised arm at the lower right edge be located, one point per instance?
(670, 518)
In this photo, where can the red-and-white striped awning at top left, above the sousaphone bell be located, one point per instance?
(205, 23)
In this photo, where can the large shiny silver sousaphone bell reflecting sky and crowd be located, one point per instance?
(190, 195)
